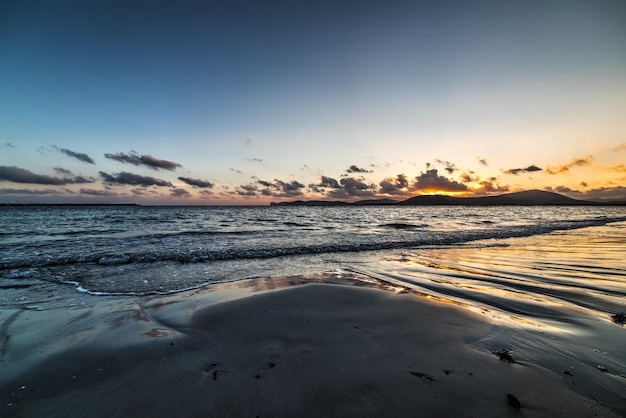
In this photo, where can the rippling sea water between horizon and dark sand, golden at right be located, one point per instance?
(522, 261)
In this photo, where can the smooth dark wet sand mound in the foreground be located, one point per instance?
(311, 350)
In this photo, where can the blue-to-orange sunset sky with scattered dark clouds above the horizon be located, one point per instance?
(248, 102)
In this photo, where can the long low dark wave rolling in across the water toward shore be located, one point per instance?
(366, 243)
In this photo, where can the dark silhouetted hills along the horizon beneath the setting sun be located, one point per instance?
(525, 198)
